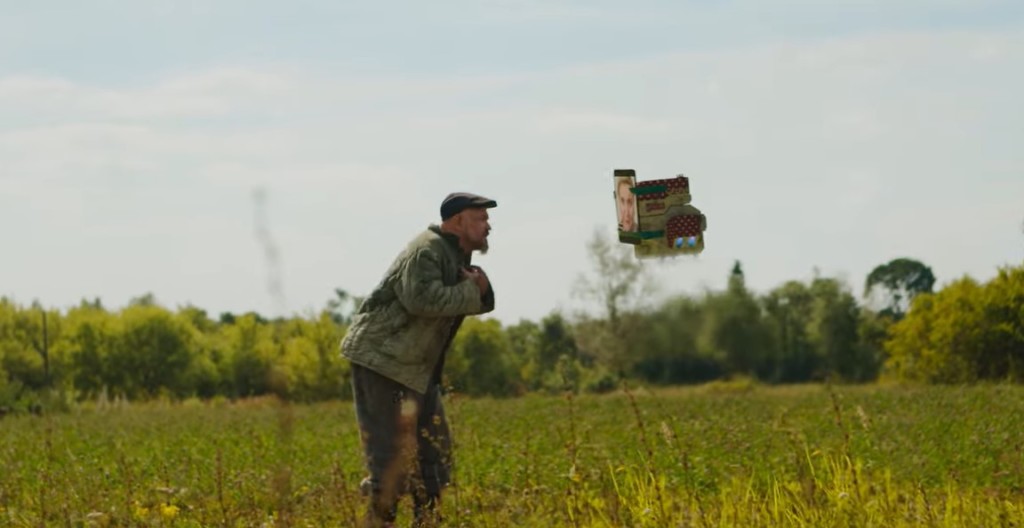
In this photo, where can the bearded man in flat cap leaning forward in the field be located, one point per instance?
(397, 345)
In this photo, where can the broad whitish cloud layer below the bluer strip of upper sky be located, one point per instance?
(841, 155)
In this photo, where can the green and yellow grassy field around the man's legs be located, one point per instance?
(716, 456)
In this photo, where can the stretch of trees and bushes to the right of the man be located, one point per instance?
(899, 329)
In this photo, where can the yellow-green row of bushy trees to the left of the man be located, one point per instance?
(146, 351)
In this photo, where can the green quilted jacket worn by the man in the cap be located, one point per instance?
(403, 329)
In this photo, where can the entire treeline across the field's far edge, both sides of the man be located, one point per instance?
(799, 332)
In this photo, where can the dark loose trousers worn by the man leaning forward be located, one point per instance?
(406, 442)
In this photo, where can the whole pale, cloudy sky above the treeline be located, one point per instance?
(816, 135)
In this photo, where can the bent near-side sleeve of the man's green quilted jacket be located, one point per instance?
(422, 292)
